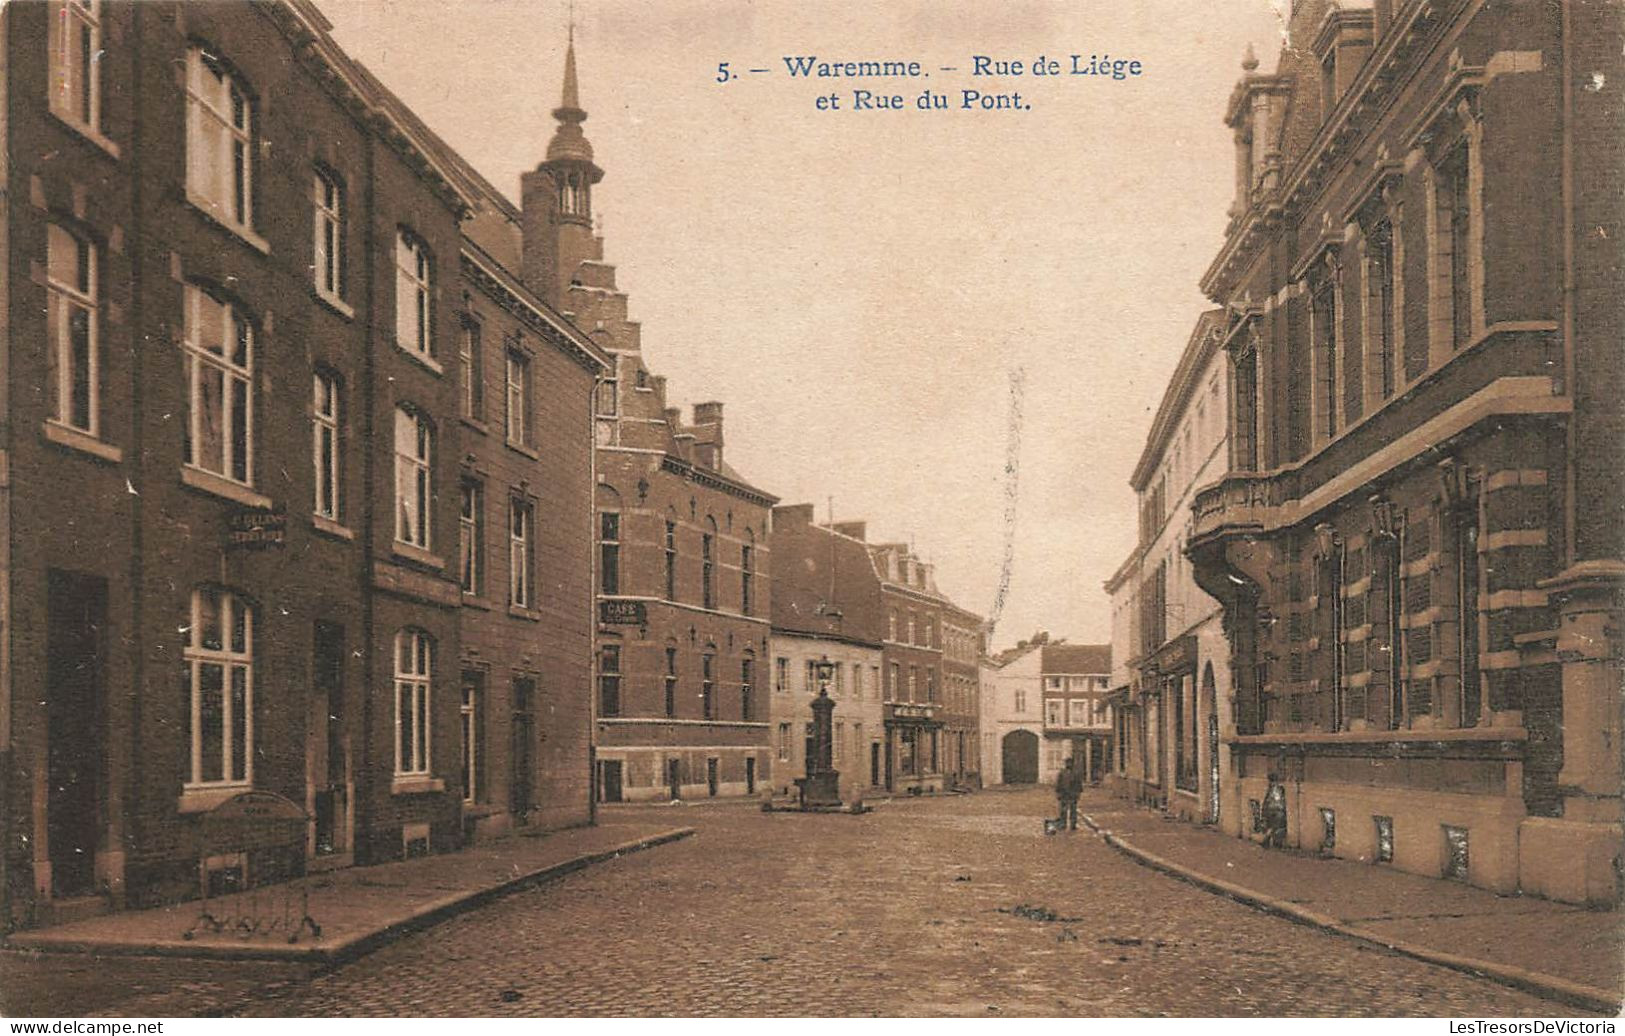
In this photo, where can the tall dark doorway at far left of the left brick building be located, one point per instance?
(77, 613)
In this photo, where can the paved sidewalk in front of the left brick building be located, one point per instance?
(357, 909)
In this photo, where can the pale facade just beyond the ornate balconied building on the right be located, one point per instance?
(1172, 702)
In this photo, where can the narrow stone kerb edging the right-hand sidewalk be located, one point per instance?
(1549, 986)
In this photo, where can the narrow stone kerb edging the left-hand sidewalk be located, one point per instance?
(353, 948)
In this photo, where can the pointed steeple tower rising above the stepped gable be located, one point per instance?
(558, 197)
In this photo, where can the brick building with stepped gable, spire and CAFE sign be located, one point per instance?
(682, 637)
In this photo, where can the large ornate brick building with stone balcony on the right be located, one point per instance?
(1419, 548)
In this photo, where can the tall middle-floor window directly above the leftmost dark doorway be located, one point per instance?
(72, 353)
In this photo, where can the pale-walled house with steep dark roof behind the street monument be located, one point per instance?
(826, 608)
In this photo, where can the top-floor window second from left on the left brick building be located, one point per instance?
(220, 142)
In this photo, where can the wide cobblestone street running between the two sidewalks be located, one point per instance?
(942, 907)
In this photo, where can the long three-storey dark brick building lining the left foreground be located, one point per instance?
(248, 265)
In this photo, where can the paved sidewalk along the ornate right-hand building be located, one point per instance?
(1553, 949)
